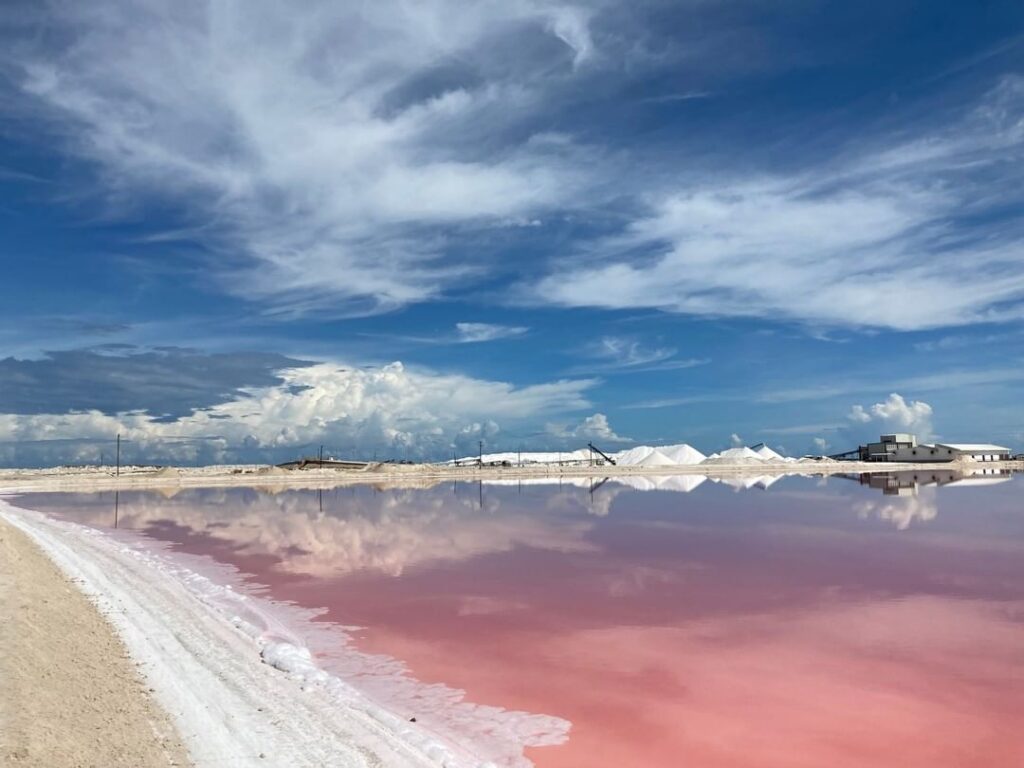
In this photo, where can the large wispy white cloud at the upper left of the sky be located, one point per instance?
(322, 153)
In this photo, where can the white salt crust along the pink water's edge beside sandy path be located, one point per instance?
(243, 696)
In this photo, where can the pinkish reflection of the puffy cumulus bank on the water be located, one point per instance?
(388, 533)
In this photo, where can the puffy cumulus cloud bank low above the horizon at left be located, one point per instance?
(392, 410)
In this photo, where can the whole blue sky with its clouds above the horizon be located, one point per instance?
(238, 231)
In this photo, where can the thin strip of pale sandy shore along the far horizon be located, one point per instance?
(423, 476)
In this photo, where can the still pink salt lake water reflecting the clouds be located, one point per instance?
(808, 625)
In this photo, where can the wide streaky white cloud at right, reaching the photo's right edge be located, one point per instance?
(870, 241)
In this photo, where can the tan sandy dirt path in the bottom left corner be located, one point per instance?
(70, 695)
